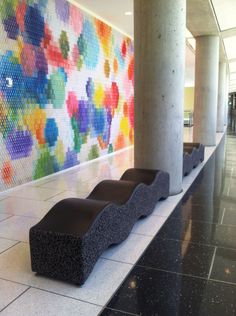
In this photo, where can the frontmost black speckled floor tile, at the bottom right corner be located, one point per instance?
(151, 292)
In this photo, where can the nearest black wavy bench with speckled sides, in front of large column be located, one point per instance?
(68, 241)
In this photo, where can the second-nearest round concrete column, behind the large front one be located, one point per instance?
(206, 89)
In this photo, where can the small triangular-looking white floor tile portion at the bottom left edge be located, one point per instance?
(9, 292)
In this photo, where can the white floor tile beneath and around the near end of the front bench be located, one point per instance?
(106, 276)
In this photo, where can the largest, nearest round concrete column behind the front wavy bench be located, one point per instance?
(159, 39)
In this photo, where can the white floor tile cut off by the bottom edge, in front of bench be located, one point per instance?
(41, 303)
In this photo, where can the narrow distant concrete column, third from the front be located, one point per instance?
(221, 97)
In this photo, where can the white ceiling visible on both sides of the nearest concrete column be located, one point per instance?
(203, 17)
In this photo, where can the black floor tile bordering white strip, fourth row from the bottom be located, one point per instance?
(208, 212)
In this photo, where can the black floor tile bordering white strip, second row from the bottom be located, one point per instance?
(178, 256)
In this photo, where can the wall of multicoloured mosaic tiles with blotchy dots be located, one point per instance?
(66, 89)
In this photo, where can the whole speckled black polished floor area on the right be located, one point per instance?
(190, 266)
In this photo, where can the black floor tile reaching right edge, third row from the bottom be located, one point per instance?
(199, 232)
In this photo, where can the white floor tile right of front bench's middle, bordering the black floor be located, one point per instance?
(129, 250)
